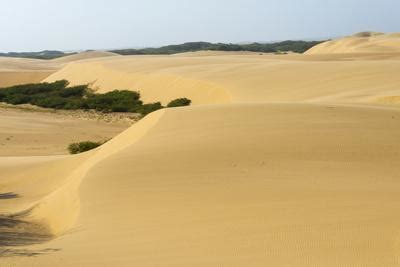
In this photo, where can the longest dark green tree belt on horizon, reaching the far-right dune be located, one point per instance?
(285, 46)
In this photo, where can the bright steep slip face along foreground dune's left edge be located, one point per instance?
(58, 211)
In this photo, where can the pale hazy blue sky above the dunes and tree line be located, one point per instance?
(34, 25)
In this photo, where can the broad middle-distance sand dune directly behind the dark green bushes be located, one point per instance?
(243, 78)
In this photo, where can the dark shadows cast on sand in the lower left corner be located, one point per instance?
(16, 233)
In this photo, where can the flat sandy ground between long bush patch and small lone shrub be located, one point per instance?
(38, 133)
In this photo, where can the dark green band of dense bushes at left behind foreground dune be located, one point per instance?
(58, 95)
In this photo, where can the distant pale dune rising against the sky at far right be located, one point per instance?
(365, 42)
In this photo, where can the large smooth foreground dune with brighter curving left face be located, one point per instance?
(236, 185)
